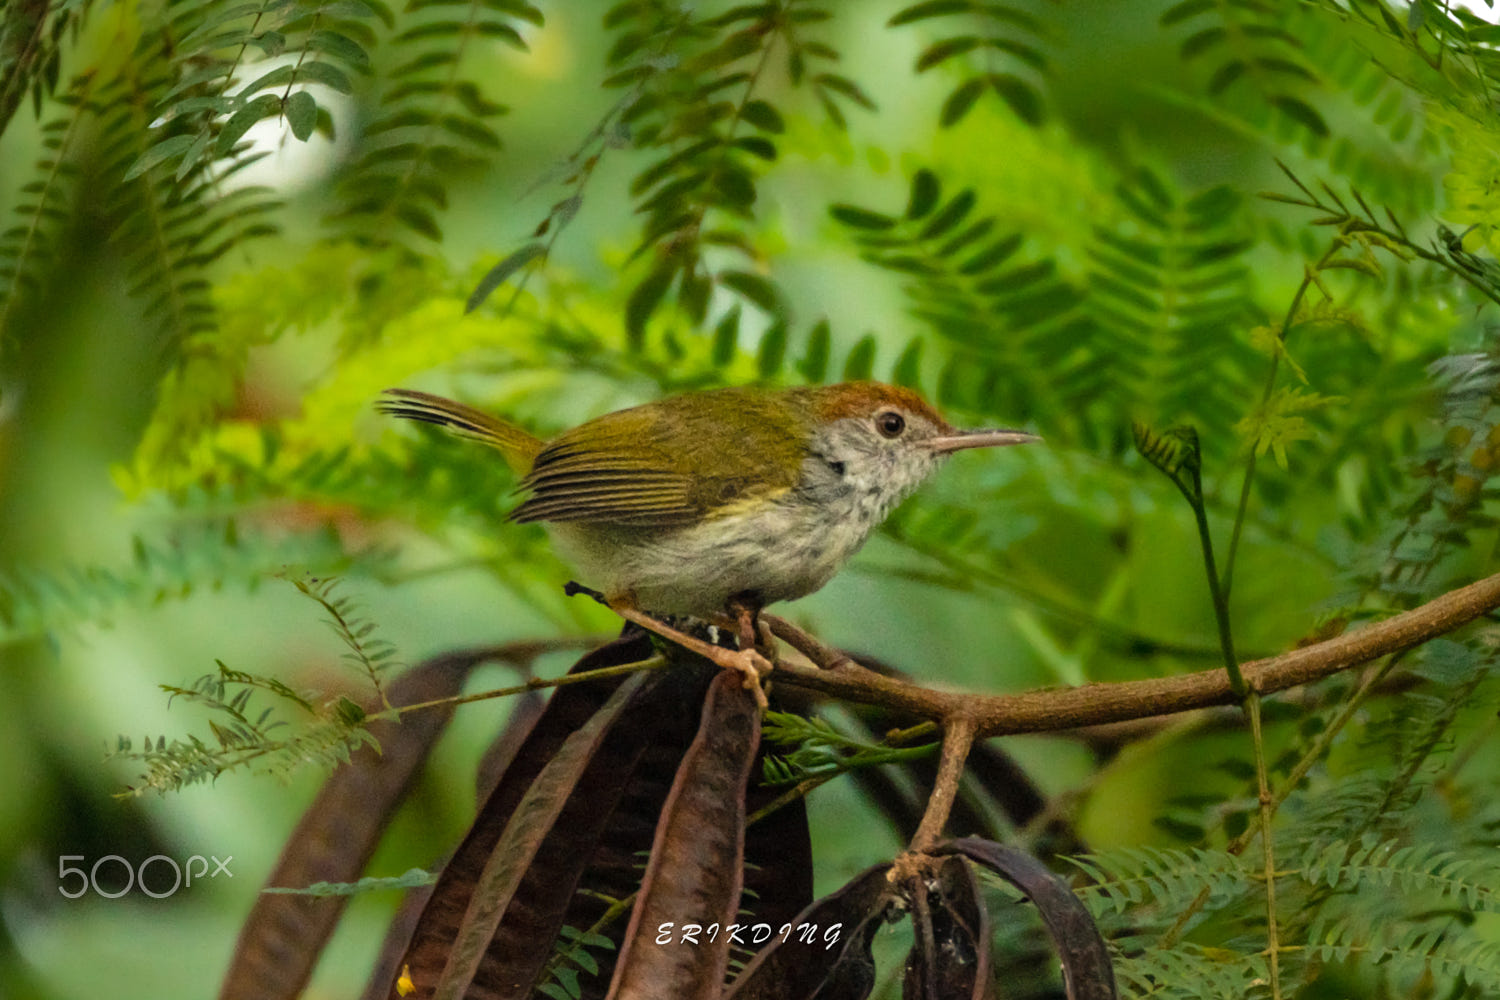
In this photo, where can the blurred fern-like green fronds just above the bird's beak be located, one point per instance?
(1147, 331)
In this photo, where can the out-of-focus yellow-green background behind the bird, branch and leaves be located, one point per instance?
(1075, 563)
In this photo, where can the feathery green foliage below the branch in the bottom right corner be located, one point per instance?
(1360, 879)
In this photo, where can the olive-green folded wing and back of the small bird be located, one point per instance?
(668, 464)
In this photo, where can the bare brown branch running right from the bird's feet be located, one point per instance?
(1096, 704)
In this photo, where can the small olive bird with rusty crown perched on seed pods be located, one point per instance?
(718, 501)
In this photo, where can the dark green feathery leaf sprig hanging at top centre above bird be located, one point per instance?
(695, 103)
